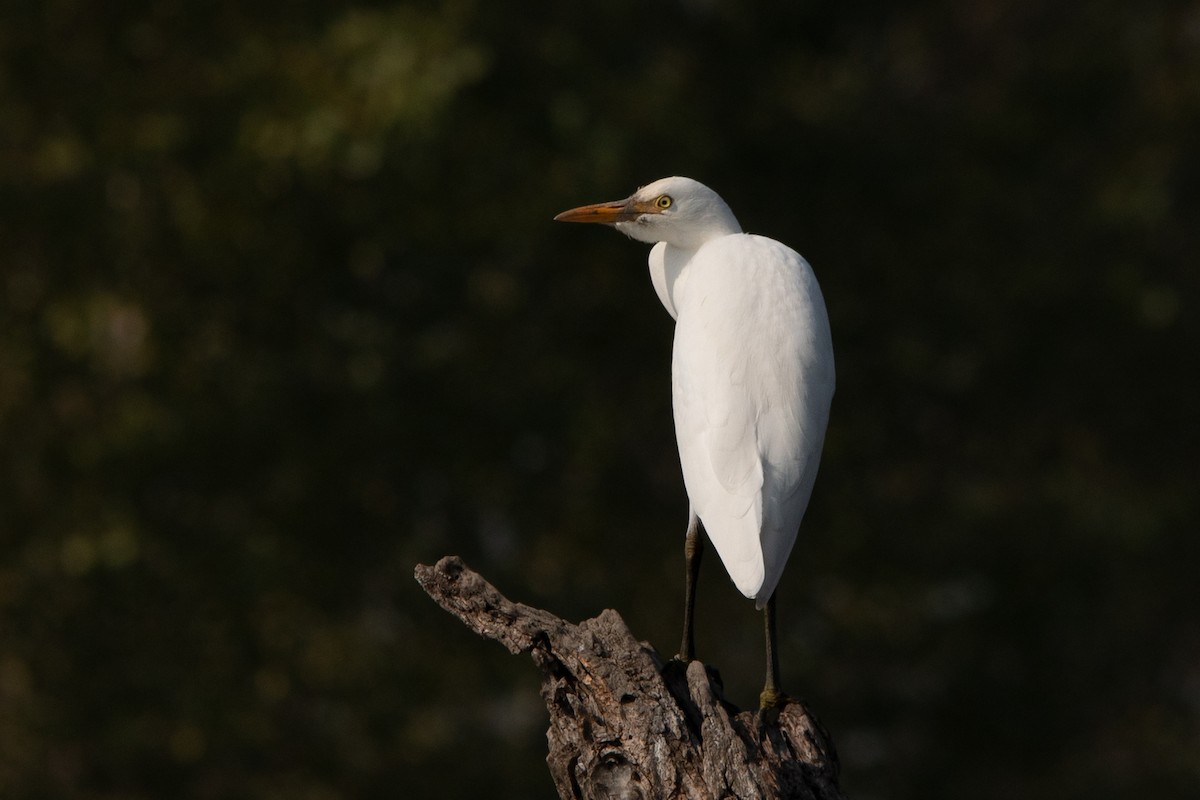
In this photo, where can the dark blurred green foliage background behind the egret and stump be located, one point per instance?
(285, 315)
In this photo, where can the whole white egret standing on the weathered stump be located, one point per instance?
(753, 378)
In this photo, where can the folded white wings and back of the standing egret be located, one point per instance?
(753, 380)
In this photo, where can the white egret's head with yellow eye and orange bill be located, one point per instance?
(675, 210)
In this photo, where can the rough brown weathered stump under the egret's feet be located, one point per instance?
(625, 724)
